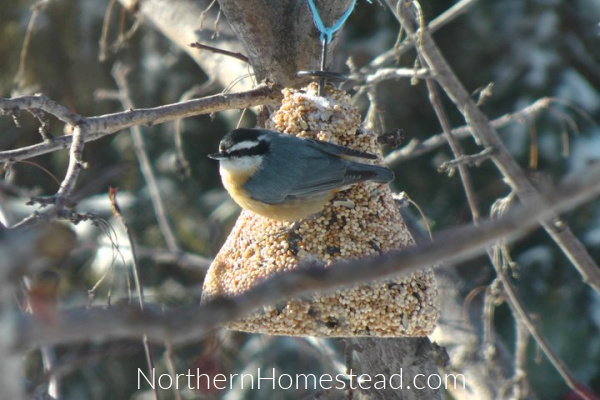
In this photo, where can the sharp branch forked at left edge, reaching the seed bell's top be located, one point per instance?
(98, 127)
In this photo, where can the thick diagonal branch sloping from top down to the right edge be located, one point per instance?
(484, 132)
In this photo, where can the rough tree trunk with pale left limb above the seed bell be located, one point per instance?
(278, 37)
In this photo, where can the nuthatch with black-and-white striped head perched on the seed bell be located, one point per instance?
(288, 178)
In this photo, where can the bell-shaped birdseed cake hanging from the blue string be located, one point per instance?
(359, 222)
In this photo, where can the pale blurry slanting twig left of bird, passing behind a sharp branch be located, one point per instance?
(119, 73)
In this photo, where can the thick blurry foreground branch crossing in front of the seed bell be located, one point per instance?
(190, 323)
